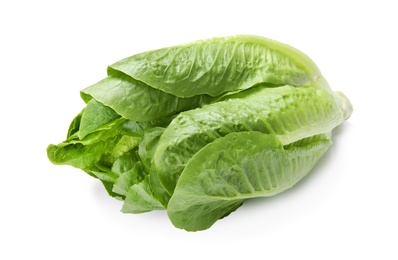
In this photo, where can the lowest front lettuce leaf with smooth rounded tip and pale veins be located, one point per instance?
(236, 167)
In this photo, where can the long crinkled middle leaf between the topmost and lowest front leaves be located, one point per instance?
(287, 112)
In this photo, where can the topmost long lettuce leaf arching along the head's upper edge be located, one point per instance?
(220, 65)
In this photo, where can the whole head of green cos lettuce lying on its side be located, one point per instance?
(197, 129)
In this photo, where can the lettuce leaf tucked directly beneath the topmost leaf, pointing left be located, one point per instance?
(137, 101)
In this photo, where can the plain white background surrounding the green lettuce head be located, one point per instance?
(50, 50)
